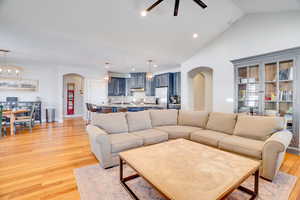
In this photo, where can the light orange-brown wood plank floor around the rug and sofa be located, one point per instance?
(39, 166)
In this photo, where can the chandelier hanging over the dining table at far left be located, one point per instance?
(8, 71)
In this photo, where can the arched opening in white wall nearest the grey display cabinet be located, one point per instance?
(200, 93)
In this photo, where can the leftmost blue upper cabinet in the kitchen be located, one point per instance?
(117, 87)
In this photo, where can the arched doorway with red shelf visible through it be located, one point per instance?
(73, 97)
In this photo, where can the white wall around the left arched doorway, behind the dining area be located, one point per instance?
(51, 84)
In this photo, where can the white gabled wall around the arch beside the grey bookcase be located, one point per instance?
(253, 34)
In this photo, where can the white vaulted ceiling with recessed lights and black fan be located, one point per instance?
(81, 33)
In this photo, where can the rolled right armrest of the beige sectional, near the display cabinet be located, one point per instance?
(274, 152)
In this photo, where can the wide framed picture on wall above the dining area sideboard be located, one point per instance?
(19, 84)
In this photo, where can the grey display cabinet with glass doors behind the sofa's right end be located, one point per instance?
(269, 85)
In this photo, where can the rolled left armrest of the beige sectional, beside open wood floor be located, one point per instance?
(100, 145)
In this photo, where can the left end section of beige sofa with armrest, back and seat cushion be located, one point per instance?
(108, 134)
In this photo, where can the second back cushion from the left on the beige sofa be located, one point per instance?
(138, 121)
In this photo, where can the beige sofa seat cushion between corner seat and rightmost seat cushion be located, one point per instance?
(208, 137)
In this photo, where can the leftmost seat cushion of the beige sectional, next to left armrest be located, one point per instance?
(124, 141)
